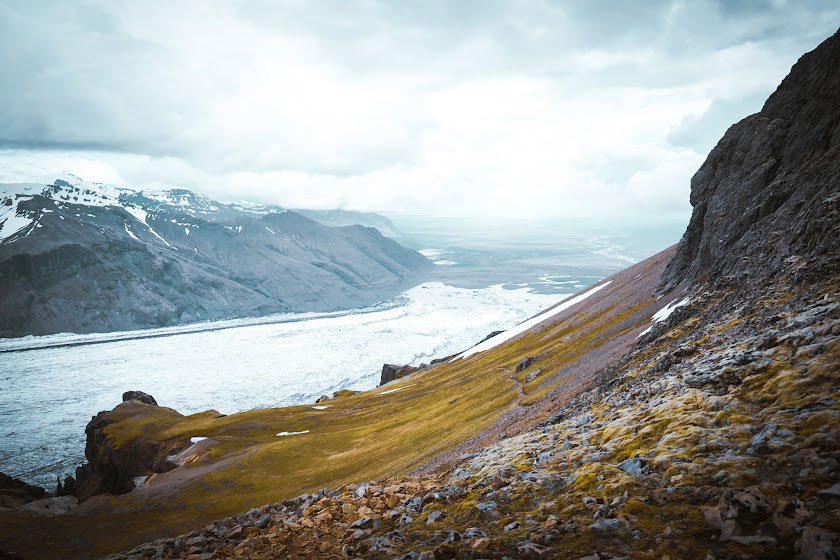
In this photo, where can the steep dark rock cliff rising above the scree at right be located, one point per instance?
(768, 195)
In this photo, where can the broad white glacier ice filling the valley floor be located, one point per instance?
(273, 361)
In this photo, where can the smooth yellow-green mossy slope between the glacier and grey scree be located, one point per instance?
(367, 436)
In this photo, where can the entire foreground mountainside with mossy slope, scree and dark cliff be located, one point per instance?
(686, 407)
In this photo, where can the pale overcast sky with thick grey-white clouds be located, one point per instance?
(517, 109)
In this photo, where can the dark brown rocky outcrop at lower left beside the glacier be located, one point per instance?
(112, 466)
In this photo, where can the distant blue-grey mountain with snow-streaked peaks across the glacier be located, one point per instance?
(85, 257)
